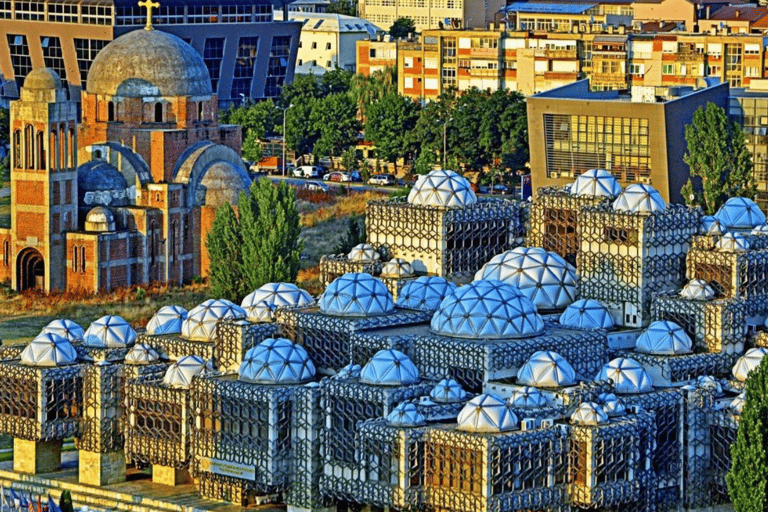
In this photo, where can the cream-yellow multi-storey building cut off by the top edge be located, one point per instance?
(430, 14)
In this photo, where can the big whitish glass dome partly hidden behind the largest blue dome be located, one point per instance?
(544, 277)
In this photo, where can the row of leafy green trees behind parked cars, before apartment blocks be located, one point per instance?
(325, 115)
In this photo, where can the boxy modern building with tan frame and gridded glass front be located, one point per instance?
(637, 138)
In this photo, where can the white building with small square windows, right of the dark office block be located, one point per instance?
(329, 40)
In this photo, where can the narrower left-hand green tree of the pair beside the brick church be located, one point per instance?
(224, 244)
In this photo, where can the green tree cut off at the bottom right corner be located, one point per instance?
(748, 476)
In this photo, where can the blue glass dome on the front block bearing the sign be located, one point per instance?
(276, 361)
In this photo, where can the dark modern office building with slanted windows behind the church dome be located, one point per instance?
(247, 53)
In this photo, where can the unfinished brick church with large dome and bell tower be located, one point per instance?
(127, 195)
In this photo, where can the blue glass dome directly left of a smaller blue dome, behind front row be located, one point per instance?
(356, 294)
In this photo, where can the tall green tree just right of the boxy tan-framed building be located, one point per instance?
(718, 158)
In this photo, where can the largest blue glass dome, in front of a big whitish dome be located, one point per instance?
(487, 309)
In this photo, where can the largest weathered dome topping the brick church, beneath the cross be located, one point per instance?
(148, 63)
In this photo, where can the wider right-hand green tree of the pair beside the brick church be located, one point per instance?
(270, 229)
